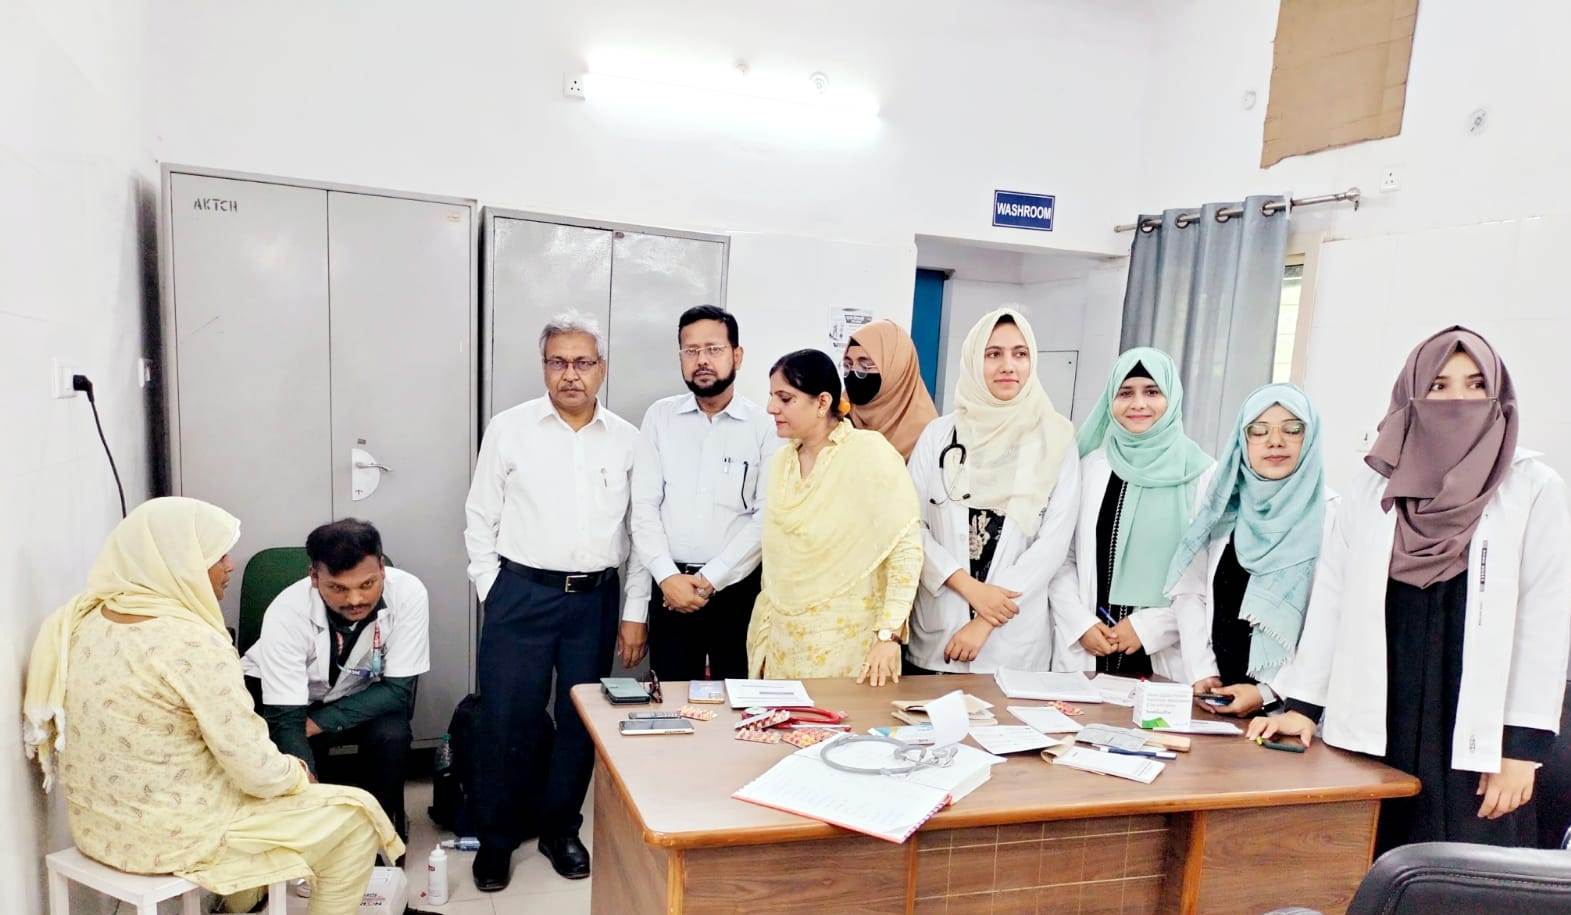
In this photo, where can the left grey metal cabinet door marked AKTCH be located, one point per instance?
(251, 356)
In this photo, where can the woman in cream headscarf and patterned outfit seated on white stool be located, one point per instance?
(136, 691)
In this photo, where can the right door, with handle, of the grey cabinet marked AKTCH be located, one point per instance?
(403, 353)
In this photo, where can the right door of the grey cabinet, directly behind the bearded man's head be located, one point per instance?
(654, 281)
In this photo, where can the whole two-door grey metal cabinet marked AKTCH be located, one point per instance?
(321, 362)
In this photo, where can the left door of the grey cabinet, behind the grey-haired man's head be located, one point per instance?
(536, 270)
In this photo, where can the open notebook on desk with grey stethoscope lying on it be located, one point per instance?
(879, 806)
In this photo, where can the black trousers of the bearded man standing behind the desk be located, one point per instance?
(679, 644)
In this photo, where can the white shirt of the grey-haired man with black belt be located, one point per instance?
(551, 498)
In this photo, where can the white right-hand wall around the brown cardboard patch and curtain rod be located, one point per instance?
(1474, 235)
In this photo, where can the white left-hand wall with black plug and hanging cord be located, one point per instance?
(76, 175)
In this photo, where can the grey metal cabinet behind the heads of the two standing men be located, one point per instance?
(635, 281)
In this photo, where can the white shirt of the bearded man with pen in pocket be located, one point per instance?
(697, 493)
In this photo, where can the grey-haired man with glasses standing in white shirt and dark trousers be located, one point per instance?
(547, 534)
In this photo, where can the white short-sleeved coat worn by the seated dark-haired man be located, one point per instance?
(291, 656)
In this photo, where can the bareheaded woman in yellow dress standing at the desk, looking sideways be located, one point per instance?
(843, 543)
